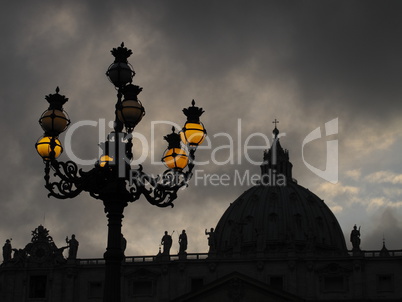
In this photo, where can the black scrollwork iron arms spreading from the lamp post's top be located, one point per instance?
(101, 183)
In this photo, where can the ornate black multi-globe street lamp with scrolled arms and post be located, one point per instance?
(112, 179)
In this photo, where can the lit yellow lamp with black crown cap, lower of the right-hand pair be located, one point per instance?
(175, 157)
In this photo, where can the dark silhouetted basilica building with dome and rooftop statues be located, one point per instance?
(275, 242)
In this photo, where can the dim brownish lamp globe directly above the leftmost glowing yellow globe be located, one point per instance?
(54, 121)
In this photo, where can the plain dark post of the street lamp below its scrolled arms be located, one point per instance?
(114, 254)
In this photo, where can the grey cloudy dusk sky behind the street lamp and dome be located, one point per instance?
(246, 63)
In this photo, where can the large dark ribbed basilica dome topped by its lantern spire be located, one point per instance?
(278, 216)
